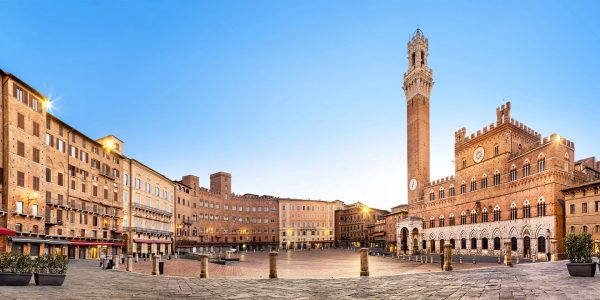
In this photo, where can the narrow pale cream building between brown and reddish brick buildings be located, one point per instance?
(149, 206)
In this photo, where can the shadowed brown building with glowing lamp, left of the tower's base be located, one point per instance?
(352, 224)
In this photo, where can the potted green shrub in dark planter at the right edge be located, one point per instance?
(579, 249)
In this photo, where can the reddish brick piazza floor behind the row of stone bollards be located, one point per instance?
(313, 264)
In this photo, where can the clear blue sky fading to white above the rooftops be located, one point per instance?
(304, 98)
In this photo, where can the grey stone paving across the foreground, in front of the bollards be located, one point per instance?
(539, 280)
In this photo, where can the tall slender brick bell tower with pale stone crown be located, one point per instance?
(417, 88)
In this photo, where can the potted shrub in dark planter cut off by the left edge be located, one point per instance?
(15, 269)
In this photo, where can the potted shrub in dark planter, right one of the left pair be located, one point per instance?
(50, 270)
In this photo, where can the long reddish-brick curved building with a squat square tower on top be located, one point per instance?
(216, 219)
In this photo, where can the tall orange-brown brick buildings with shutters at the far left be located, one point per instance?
(60, 188)
